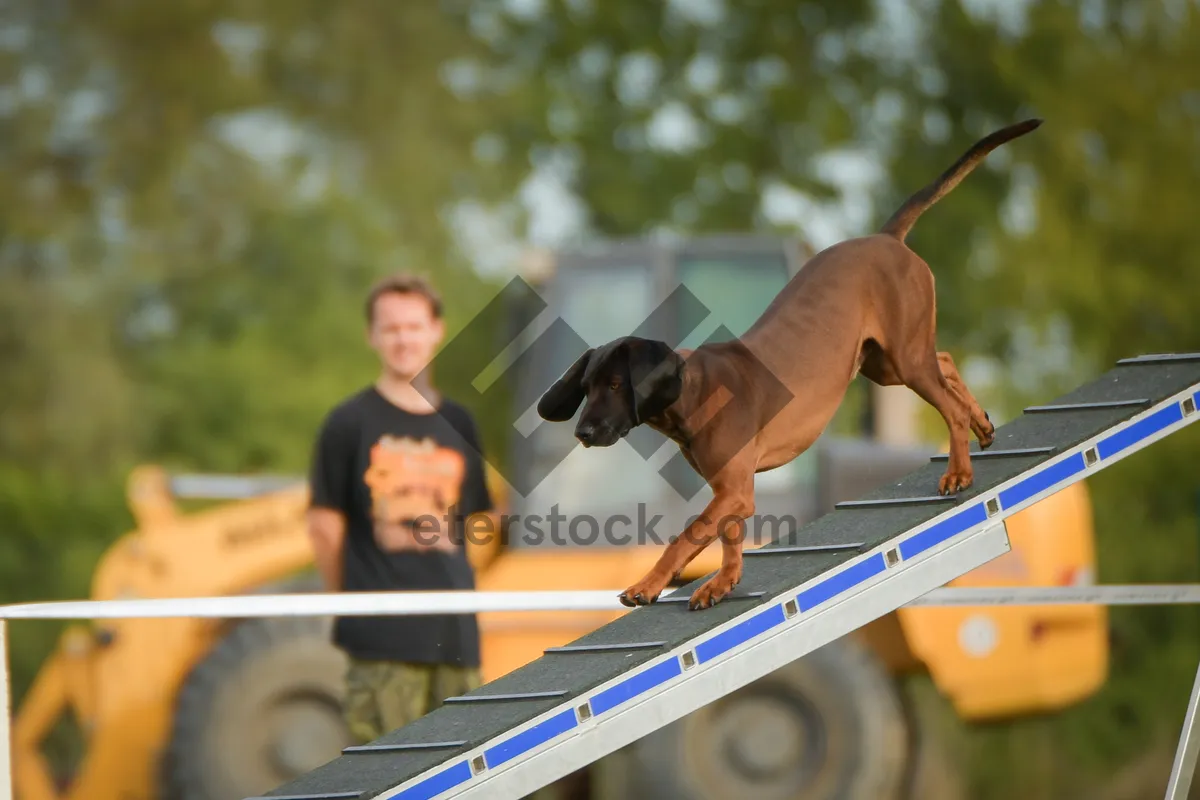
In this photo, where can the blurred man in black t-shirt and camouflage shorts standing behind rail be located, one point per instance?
(395, 471)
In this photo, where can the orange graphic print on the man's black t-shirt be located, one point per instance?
(412, 483)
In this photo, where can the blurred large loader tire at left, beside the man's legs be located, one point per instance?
(261, 709)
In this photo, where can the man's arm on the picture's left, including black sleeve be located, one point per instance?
(329, 485)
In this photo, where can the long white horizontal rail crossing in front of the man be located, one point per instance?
(417, 604)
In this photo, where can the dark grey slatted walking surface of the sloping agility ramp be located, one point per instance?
(670, 623)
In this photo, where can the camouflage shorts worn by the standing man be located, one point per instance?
(382, 696)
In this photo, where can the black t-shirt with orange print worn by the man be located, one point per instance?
(375, 461)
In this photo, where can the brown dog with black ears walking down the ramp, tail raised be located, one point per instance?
(862, 306)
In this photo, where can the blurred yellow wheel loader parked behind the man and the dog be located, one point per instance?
(183, 709)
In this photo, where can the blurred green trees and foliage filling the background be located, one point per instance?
(196, 195)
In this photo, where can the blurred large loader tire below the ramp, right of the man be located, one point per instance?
(830, 726)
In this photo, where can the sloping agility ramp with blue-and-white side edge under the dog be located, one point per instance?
(867, 558)
